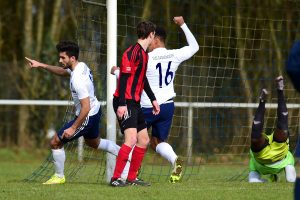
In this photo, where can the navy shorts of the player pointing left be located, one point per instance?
(89, 129)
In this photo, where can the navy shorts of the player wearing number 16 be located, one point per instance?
(161, 123)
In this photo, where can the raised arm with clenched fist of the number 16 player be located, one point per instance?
(193, 46)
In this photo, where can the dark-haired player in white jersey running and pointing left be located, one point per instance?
(88, 111)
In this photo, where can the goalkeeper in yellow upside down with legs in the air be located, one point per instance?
(269, 154)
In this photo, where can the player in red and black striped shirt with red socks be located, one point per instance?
(127, 106)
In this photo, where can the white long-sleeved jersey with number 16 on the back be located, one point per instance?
(162, 66)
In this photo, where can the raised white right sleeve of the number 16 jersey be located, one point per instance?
(186, 52)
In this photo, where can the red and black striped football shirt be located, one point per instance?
(134, 65)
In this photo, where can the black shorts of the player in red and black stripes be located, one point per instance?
(134, 118)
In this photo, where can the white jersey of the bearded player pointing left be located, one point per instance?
(82, 86)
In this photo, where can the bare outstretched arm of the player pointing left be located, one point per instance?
(53, 69)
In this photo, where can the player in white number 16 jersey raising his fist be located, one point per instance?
(162, 66)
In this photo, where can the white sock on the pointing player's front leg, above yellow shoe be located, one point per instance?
(59, 158)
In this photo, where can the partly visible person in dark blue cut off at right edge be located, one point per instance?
(293, 70)
